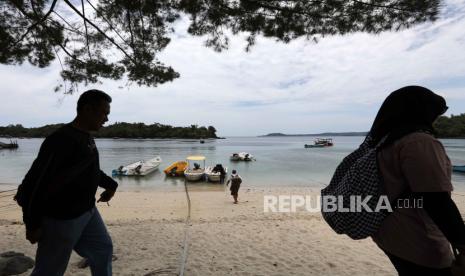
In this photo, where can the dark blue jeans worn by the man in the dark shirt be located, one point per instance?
(86, 234)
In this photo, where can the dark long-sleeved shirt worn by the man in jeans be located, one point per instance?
(69, 172)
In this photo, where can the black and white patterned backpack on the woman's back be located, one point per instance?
(357, 175)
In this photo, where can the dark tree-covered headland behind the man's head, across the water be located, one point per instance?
(119, 130)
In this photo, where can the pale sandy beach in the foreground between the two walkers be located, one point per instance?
(148, 229)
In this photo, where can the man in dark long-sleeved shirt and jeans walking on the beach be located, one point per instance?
(57, 195)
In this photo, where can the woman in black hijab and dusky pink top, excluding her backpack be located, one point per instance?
(413, 162)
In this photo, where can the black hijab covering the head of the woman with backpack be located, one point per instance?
(407, 110)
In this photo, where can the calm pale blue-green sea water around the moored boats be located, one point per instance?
(281, 161)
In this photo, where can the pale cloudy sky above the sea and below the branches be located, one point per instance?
(335, 85)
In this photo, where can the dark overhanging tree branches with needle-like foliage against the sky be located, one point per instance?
(116, 39)
